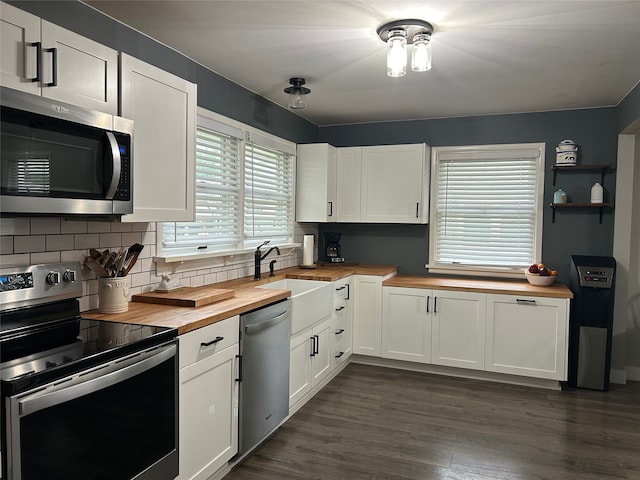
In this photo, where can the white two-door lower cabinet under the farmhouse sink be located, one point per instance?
(310, 359)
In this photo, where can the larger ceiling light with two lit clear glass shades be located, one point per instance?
(400, 33)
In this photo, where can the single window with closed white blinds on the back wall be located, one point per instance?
(486, 210)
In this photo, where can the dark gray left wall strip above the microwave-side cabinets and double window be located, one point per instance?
(215, 93)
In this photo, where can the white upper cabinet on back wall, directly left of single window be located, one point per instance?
(383, 184)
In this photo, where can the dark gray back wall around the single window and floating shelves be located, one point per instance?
(574, 232)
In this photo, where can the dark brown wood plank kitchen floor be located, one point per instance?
(376, 423)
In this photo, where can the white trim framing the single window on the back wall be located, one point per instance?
(479, 152)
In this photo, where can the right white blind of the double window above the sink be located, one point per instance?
(268, 197)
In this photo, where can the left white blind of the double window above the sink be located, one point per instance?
(218, 196)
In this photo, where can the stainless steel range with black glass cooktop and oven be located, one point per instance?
(82, 399)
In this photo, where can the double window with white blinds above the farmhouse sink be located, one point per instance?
(244, 192)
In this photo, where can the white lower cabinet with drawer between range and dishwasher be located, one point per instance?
(208, 431)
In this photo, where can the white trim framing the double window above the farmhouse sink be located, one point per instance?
(212, 120)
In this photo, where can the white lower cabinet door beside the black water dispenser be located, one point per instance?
(527, 336)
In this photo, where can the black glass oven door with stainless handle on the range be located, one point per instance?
(115, 421)
